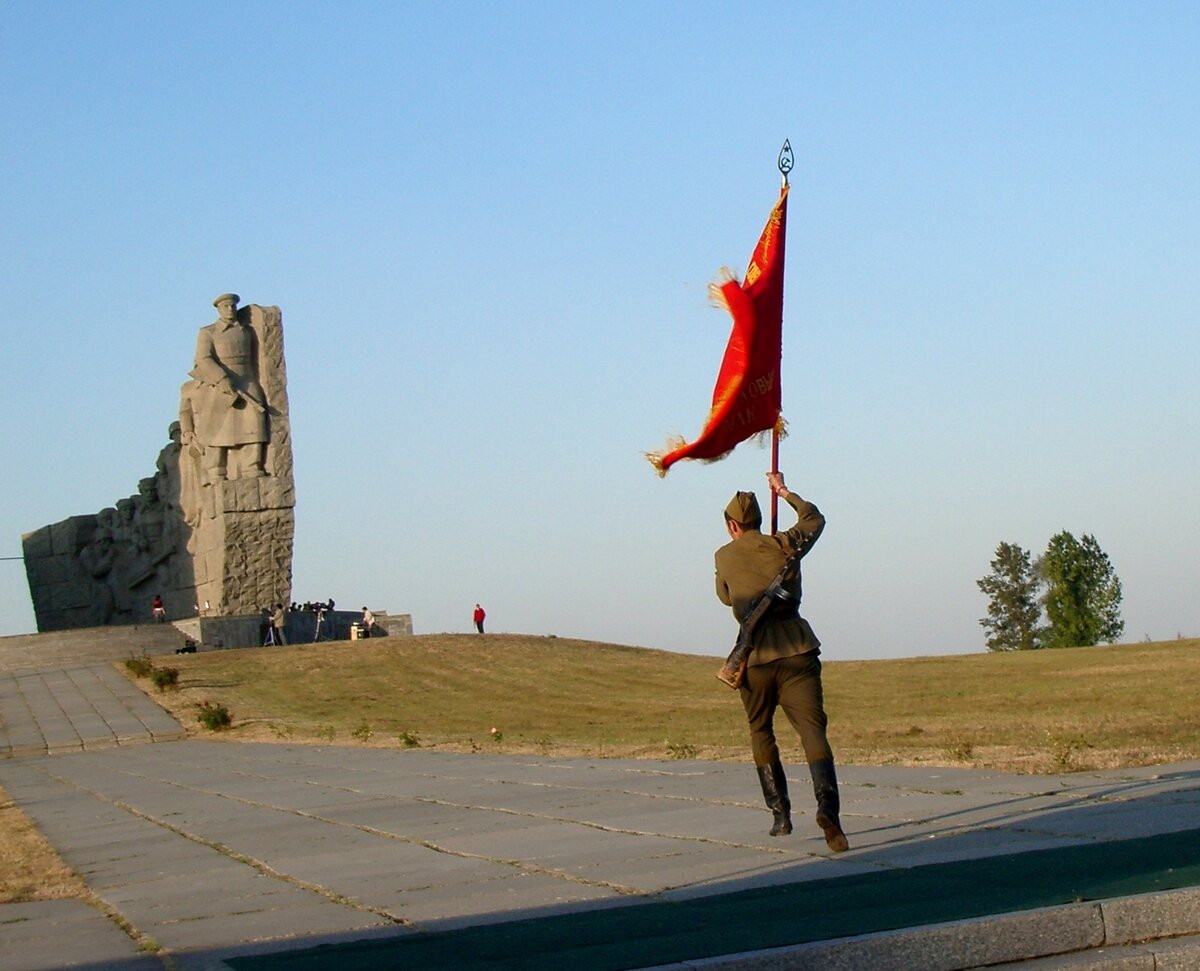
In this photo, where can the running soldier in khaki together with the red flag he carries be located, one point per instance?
(758, 574)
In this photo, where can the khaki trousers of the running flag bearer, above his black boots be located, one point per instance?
(795, 686)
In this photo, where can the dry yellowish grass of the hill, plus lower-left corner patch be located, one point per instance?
(1034, 712)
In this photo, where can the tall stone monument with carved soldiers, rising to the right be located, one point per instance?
(212, 531)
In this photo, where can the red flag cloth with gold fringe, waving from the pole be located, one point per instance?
(747, 399)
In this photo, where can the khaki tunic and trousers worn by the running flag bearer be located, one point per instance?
(784, 669)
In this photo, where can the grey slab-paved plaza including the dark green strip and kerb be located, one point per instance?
(214, 855)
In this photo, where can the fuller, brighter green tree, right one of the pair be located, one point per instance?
(1083, 597)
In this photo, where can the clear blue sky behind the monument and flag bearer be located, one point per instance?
(490, 229)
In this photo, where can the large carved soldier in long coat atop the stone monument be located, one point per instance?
(227, 405)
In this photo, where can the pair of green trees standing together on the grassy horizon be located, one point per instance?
(1072, 583)
